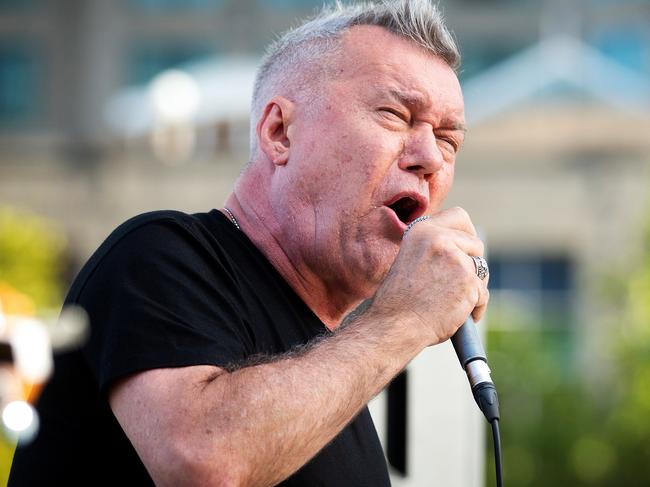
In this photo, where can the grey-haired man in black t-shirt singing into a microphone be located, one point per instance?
(217, 354)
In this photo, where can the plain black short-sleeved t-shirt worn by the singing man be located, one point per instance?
(168, 289)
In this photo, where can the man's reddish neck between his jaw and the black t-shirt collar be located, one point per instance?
(331, 303)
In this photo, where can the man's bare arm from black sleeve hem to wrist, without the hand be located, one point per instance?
(259, 424)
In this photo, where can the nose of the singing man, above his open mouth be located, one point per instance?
(421, 154)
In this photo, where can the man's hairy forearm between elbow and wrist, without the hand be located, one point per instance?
(260, 424)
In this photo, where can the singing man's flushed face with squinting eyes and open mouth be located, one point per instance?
(372, 152)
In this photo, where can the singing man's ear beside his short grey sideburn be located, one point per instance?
(273, 130)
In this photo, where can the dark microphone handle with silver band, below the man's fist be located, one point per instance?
(472, 359)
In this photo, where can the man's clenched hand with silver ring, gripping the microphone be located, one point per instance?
(432, 286)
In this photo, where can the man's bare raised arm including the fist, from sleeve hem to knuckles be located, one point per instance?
(256, 426)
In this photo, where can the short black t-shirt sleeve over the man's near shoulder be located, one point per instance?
(162, 296)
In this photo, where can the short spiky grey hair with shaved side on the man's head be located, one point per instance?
(298, 55)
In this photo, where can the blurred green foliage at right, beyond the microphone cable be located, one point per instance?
(558, 430)
